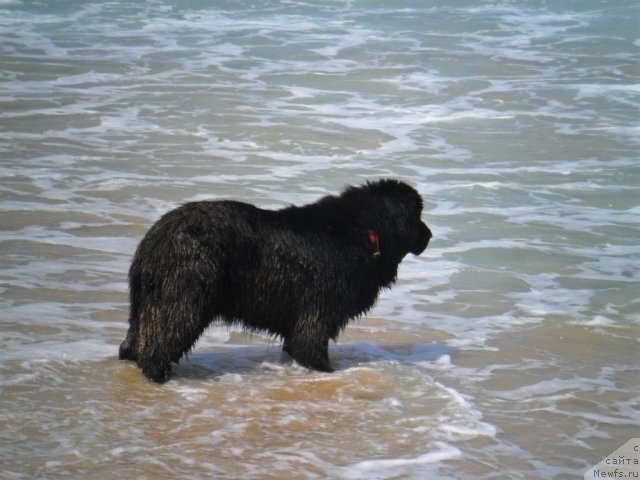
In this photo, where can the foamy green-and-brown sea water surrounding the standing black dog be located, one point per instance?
(509, 349)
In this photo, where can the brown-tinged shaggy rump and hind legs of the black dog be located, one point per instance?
(172, 283)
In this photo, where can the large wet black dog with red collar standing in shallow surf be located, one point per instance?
(300, 273)
